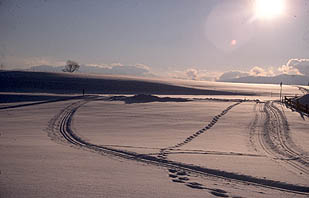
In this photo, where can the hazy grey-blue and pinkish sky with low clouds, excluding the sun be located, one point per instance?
(165, 35)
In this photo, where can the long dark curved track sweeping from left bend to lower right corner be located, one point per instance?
(60, 128)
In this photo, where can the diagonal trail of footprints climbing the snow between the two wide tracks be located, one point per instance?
(164, 152)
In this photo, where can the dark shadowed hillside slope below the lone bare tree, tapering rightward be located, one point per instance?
(43, 82)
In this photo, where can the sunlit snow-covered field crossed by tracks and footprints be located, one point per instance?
(209, 146)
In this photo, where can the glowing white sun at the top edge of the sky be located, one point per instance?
(269, 9)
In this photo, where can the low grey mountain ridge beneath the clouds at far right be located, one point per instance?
(284, 78)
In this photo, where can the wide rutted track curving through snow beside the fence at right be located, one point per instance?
(275, 140)
